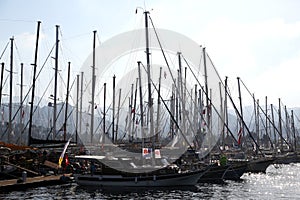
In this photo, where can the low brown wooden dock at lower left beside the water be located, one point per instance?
(31, 182)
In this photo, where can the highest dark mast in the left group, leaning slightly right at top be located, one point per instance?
(33, 83)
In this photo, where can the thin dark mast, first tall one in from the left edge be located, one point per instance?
(10, 90)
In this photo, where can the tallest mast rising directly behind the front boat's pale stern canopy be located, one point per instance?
(93, 87)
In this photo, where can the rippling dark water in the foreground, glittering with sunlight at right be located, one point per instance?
(280, 182)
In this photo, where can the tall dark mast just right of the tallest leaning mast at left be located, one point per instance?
(55, 83)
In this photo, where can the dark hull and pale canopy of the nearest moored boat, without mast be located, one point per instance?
(105, 176)
